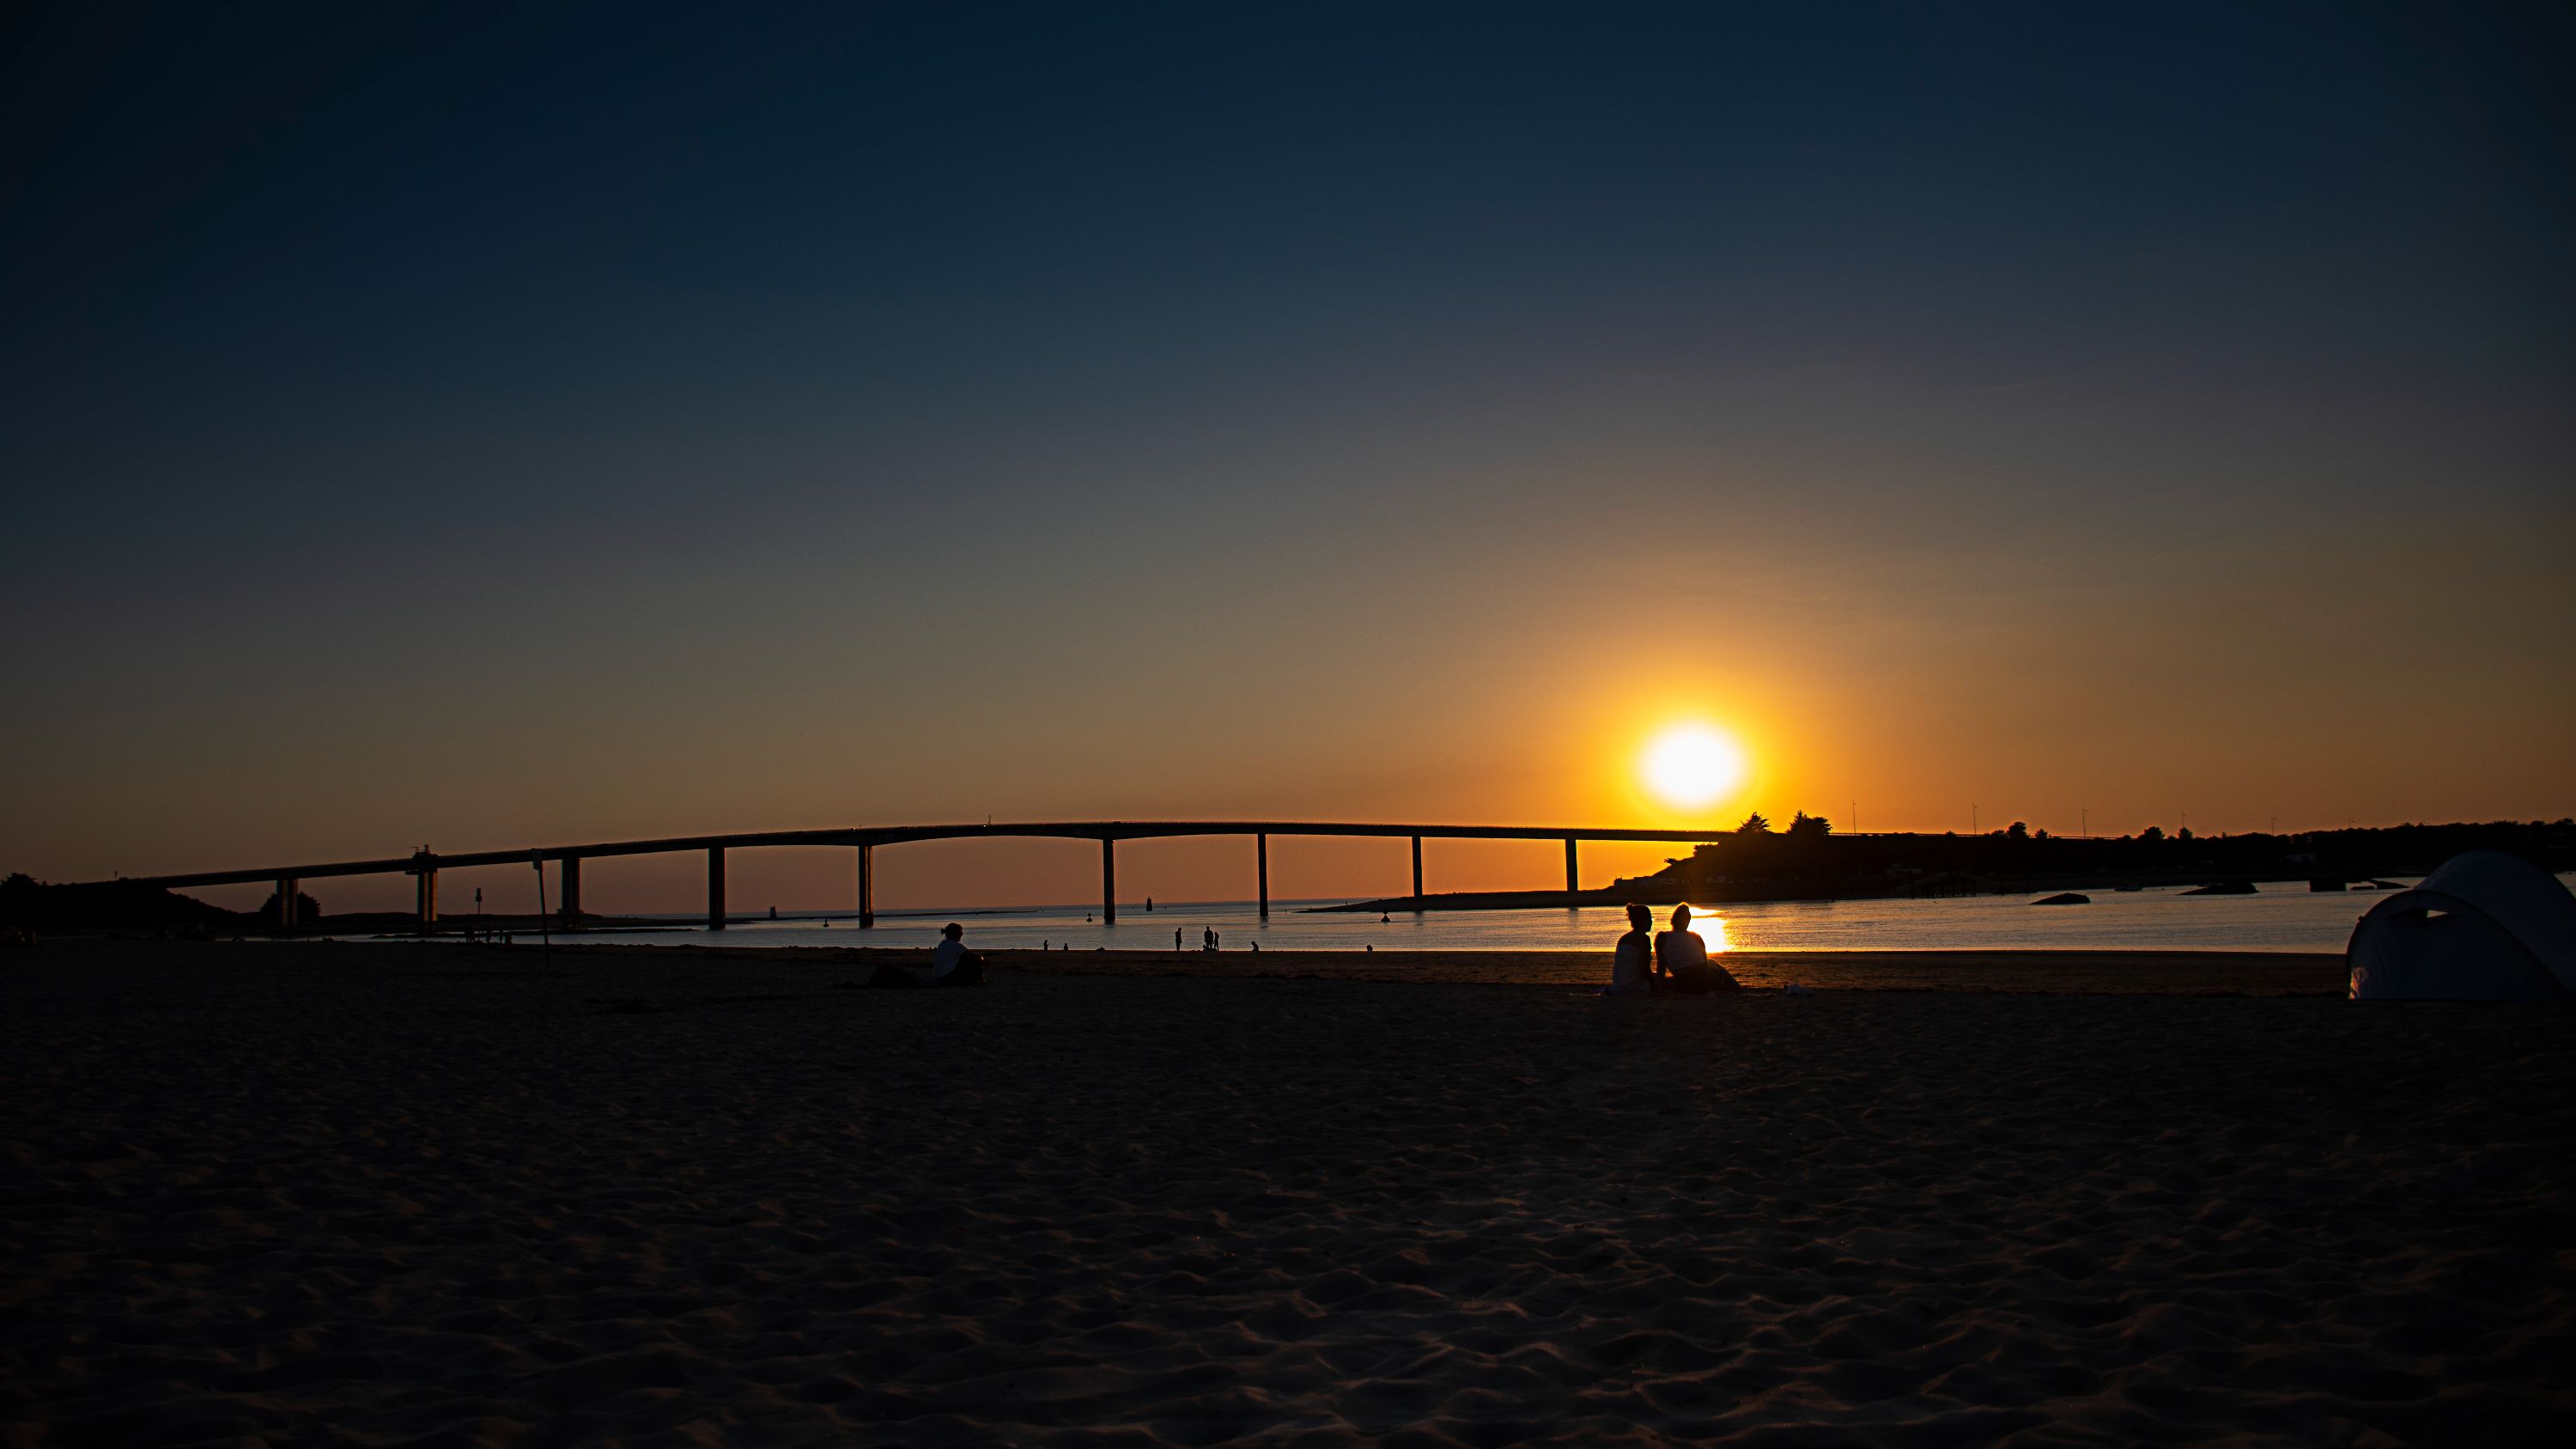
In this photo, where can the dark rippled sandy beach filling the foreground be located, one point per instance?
(434, 1195)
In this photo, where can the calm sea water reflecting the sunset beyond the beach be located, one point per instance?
(2276, 919)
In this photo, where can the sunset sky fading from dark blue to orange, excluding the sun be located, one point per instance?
(491, 427)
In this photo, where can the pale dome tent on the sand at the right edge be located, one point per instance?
(2485, 927)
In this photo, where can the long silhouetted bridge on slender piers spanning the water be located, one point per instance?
(864, 842)
